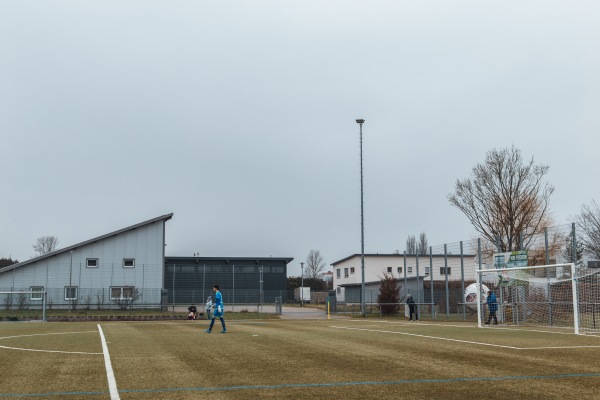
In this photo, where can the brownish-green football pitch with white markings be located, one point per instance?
(346, 359)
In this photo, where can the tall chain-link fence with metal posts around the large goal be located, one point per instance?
(443, 279)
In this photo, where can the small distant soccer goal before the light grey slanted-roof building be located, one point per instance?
(25, 305)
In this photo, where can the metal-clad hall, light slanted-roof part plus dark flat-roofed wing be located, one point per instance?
(128, 266)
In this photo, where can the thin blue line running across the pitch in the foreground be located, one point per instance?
(310, 385)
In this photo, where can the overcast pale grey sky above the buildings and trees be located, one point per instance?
(239, 117)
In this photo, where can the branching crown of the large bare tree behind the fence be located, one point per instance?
(506, 199)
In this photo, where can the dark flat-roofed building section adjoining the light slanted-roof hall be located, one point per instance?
(242, 280)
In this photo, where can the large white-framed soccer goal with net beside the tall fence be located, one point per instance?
(558, 296)
